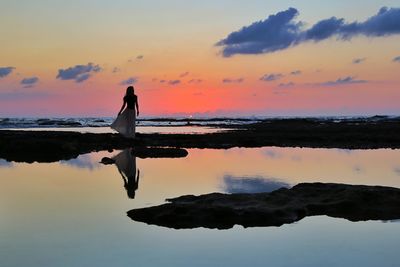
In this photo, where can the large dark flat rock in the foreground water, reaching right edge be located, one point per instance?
(283, 206)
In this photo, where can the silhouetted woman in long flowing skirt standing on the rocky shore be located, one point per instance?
(125, 123)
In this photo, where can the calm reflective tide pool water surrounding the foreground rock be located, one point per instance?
(73, 213)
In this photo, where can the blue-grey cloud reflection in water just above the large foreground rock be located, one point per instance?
(234, 185)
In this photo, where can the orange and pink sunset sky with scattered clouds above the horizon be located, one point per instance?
(200, 58)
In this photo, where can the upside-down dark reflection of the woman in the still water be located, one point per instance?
(126, 164)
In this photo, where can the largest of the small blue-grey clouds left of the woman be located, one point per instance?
(78, 73)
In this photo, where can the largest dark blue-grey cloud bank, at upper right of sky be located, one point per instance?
(281, 31)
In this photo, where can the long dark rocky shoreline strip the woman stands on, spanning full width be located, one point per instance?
(49, 146)
